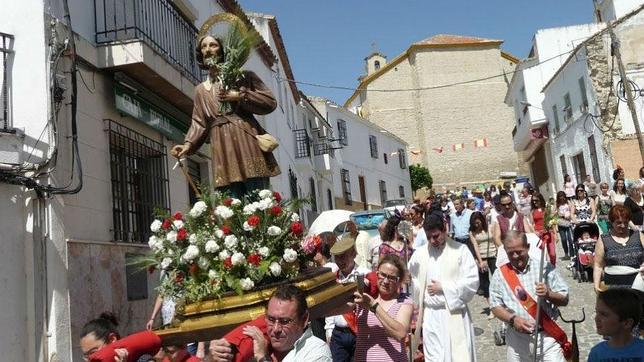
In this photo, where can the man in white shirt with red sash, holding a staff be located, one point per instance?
(514, 291)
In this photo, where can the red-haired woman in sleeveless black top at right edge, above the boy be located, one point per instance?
(619, 254)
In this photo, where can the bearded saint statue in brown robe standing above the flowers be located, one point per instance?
(238, 163)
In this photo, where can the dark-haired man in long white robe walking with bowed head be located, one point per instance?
(444, 279)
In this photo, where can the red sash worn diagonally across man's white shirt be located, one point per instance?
(530, 306)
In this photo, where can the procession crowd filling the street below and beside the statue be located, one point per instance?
(417, 276)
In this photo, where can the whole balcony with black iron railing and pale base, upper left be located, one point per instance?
(131, 35)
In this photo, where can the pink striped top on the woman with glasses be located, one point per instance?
(373, 344)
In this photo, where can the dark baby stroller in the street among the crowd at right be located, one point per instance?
(582, 266)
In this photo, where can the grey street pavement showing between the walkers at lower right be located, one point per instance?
(582, 295)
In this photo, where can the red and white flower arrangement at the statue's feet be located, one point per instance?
(226, 244)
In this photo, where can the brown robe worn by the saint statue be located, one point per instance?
(236, 155)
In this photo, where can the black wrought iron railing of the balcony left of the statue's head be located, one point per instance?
(158, 23)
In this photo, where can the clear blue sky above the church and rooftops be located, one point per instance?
(327, 40)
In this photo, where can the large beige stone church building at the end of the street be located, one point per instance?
(445, 96)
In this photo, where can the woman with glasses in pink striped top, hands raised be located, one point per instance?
(383, 322)
